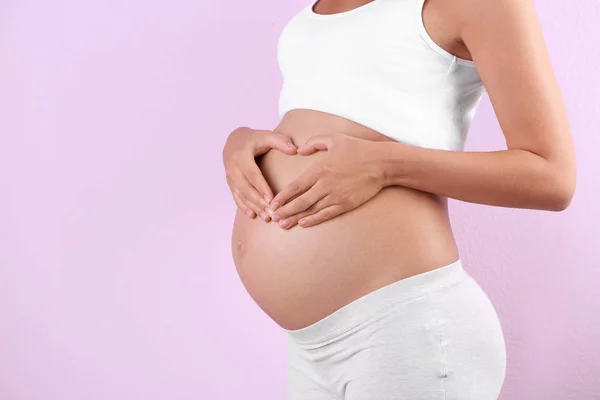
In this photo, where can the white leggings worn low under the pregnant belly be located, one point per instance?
(431, 336)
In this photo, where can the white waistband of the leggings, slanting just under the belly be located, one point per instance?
(377, 301)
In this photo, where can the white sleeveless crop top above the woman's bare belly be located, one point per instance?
(376, 65)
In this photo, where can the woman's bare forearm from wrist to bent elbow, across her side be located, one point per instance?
(507, 178)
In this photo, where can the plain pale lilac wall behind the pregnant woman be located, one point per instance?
(116, 280)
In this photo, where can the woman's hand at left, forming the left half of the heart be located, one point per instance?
(248, 186)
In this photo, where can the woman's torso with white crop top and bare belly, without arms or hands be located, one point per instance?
(373, 73)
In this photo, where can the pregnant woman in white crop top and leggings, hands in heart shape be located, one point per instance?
(342, 234)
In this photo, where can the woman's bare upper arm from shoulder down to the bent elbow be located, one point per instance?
(506, 43)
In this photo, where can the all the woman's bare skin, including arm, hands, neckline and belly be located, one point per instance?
(393, 230)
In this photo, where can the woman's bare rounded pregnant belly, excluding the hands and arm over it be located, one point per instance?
(300, 275)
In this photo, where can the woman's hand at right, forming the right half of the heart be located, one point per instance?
(347, 178)
